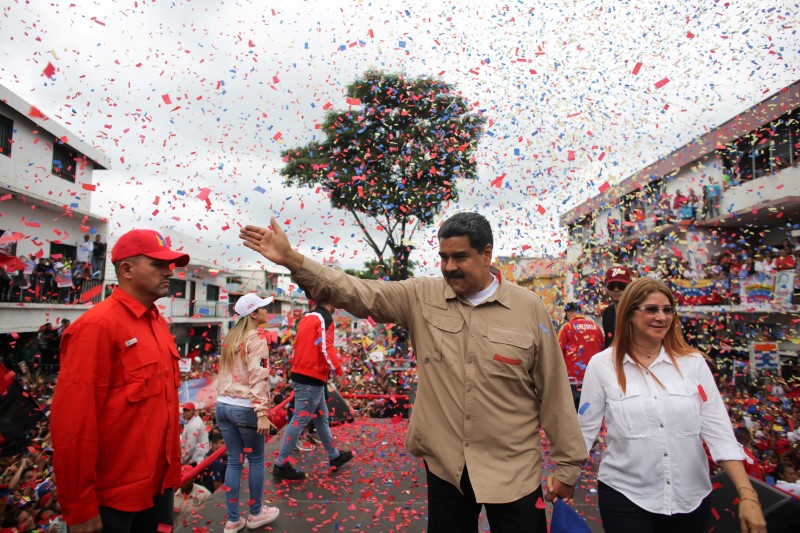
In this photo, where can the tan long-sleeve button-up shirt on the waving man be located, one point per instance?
(489, 375)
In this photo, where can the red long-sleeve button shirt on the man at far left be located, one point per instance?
(114, 420)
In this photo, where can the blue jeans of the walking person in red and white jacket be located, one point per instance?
(309, 404)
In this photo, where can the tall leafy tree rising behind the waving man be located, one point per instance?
(392, 159)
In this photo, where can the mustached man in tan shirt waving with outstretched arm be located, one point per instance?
(490, 373)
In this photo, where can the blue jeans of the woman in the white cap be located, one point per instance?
(240, 442)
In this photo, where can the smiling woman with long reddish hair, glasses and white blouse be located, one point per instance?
(659, 402)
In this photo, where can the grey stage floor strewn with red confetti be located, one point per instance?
(381, 490)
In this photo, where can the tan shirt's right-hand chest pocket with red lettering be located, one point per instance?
(508, 352)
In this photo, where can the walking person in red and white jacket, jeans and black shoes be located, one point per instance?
(314, 358)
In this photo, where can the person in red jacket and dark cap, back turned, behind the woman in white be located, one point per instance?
(580, 338)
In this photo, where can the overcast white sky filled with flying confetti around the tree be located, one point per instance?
(190, 95)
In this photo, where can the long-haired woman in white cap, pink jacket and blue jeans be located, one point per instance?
(242, 405)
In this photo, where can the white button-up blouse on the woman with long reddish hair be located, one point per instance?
(654, 453)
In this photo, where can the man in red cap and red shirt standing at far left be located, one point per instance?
(114, 421)
